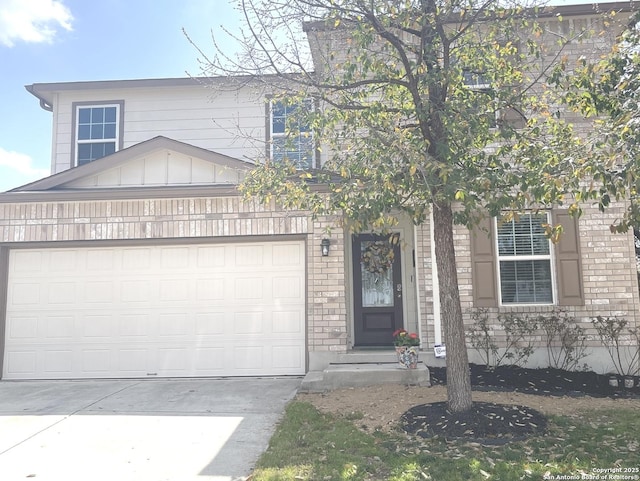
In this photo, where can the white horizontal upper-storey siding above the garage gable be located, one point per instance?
(228, 122)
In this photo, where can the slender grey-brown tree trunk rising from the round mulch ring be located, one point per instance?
(458, 376)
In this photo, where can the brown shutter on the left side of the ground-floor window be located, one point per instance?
(483, 260)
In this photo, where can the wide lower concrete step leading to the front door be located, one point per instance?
(364, 374)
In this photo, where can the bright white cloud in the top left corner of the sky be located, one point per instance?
(33, 21)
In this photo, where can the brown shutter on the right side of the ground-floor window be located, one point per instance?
(568, 261)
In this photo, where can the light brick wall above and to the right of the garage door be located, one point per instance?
(205, 218)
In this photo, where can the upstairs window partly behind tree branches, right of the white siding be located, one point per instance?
(291, 135)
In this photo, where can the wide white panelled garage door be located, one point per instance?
(166, 311)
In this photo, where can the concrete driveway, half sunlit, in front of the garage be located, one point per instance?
(138, 430)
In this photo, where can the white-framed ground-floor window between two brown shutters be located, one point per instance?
(524, 260)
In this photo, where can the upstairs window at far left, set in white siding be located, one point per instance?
(97, 131)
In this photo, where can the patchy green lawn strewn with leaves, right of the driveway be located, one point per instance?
(310, 445)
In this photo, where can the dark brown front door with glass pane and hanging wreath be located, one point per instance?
(377, 290)
